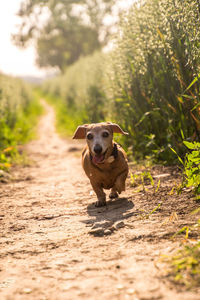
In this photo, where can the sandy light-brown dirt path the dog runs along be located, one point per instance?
(54, 244)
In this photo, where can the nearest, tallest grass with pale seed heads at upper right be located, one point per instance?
(155, 61)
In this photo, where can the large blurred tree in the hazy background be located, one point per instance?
(63, 30)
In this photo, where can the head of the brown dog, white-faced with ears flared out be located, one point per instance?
(99, 138)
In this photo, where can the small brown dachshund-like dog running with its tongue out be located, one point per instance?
(104, 161)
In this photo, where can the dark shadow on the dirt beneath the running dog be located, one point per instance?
(103, 219)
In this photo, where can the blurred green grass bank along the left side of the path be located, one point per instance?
(18, 115)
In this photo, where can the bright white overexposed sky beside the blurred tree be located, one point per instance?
(13, 60)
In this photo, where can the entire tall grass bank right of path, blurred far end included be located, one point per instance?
(149, 83)
